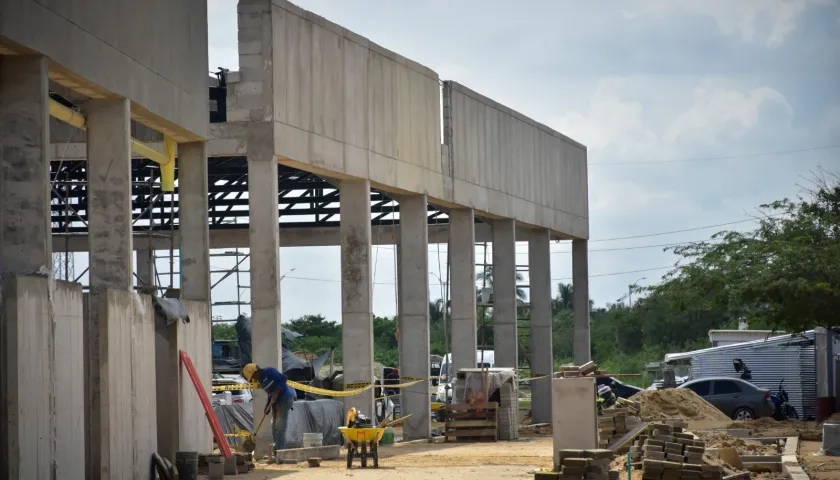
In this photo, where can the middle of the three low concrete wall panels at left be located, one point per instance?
(122, 397)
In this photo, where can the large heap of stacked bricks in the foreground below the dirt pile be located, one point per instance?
(671, 454)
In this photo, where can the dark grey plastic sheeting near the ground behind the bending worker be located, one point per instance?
(308, 416)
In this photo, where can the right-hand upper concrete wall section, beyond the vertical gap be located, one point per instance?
(502, 162)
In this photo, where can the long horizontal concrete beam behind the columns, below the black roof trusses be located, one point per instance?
(289, 237)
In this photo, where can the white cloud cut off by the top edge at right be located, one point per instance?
(768, 21)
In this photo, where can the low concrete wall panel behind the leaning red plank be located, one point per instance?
(182, 424)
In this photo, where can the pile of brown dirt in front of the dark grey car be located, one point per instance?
(676, 403)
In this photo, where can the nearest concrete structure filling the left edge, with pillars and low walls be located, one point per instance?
(78, 374)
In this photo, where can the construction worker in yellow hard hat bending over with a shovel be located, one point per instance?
(280, 400)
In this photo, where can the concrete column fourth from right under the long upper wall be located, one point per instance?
(462, 287)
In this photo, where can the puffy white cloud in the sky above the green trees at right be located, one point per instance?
(717, 111)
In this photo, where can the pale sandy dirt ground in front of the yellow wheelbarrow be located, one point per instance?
(469, 461)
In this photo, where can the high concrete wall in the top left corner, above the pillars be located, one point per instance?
(153, 52)
